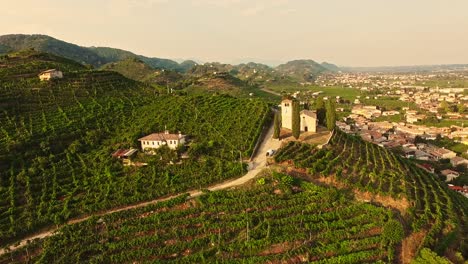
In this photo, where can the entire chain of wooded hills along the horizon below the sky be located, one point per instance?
(298, 70)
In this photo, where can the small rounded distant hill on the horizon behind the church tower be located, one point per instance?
(301, 70)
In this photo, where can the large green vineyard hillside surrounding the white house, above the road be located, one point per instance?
(57, 138)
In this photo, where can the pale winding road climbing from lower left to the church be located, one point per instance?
(257, 164)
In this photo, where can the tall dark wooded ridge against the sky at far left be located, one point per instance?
(96, 56)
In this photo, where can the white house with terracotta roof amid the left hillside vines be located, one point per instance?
(157, 140)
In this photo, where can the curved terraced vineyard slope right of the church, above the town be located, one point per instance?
(435, 210)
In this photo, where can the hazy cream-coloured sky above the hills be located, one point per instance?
(345, 32)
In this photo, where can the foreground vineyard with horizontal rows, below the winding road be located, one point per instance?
(276, 218)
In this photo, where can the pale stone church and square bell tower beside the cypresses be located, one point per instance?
(308, 118)
